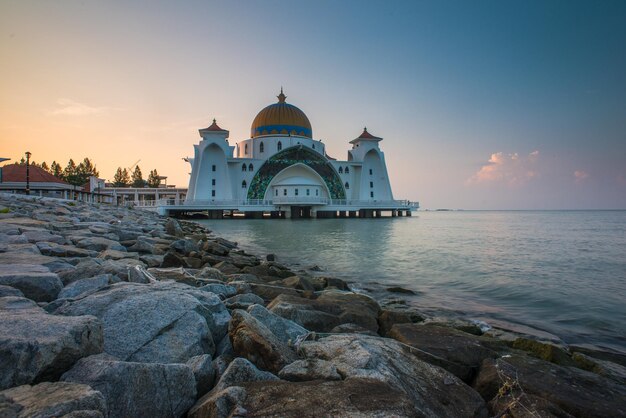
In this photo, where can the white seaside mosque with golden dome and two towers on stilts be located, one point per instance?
(282, 171)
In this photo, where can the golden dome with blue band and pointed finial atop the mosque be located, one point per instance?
(281, 118)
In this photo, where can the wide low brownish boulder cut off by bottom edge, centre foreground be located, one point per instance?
(352, 397)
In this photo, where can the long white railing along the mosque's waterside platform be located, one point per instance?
(294, 200)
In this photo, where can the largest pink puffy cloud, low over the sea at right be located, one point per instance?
(509, 169)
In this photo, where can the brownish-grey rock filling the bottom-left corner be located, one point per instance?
(51, 400)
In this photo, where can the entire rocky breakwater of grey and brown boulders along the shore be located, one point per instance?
(113, 312)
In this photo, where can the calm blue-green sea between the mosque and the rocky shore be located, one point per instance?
(560, 272)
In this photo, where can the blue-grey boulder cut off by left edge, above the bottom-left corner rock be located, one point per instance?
(35, 346)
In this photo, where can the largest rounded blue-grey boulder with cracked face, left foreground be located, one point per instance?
(164, 322)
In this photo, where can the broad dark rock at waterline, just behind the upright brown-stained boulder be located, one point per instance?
(330, 309)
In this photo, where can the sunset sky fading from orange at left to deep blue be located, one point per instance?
(482, 104)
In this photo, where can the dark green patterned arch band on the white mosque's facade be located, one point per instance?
(288, 157)
